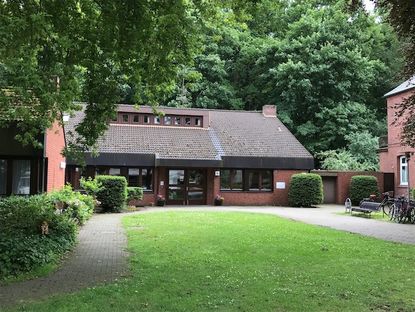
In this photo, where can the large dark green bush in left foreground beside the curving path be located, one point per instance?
(23, 247)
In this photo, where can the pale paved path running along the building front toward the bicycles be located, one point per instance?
(328, 216)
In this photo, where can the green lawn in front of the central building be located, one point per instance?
(212, 261)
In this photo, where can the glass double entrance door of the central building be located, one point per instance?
(186, 187)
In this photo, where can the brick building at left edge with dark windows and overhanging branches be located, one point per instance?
(26, 170)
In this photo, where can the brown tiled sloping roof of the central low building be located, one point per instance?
(227, 138)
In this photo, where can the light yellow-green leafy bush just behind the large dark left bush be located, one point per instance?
(75, 204)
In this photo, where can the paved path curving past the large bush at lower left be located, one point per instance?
(99, 257)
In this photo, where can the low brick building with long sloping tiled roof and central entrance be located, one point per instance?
(189, 156)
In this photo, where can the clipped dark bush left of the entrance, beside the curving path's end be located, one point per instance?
(113, 193)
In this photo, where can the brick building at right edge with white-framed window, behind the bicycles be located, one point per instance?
(392, 154)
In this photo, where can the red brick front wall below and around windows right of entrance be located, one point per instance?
(278, 197)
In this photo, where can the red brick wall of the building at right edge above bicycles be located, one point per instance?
(389, 158)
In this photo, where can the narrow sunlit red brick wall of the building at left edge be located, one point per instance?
(55, 143)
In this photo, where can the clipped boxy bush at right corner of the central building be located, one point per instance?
(306, 190)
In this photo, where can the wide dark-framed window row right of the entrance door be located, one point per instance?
(246, 180)
